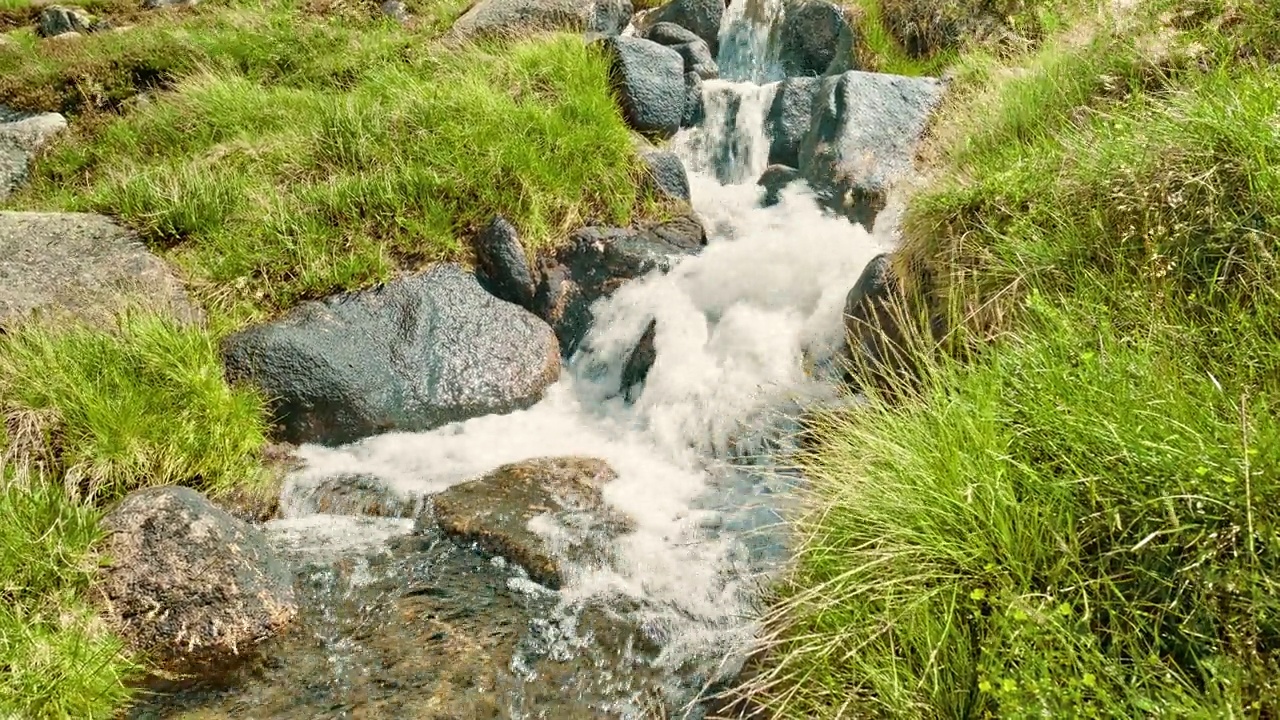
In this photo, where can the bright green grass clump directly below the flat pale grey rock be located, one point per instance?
(112, 412)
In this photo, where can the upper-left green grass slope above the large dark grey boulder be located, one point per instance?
(296, 158)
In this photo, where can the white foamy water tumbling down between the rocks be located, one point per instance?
(738, 330)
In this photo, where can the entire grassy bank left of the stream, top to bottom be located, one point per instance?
(275, 153)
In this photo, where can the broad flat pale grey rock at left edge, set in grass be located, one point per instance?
(83, 267)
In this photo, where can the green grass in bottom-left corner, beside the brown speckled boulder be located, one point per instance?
(57, 659)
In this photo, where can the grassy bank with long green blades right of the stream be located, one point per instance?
(1080, 520)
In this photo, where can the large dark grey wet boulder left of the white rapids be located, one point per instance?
(413, 356)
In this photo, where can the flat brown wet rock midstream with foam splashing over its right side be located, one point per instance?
(496, 511)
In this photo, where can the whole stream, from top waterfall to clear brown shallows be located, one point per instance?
(400, 622)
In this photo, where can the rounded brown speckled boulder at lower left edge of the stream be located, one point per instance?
(188, 584)
